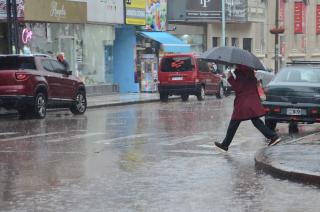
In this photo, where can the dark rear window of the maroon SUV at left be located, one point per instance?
(16, 63)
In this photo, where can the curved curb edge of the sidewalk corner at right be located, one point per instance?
(264, 163)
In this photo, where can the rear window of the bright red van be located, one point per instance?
(177, 64)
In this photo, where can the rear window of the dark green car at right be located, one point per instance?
(299, 75)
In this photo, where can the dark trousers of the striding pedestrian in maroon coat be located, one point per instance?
(234, 124)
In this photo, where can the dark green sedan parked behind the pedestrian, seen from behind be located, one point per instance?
(293, 96)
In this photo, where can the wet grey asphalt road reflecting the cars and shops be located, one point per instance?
(149, 157)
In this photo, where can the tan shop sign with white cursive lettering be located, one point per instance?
(55, 11)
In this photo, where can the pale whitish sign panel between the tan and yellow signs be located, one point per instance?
(106, 11)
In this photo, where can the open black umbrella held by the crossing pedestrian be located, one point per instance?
(233, 56)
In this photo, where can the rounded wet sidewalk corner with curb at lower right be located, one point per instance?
(297, 160)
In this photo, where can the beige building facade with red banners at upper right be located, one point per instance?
(301, 38)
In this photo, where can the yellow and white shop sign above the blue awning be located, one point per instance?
(136, 12)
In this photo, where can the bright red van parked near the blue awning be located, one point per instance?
(186, 74)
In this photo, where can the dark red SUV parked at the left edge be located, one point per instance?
(31, 84)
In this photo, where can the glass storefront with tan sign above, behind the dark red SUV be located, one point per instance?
(62, 26)
